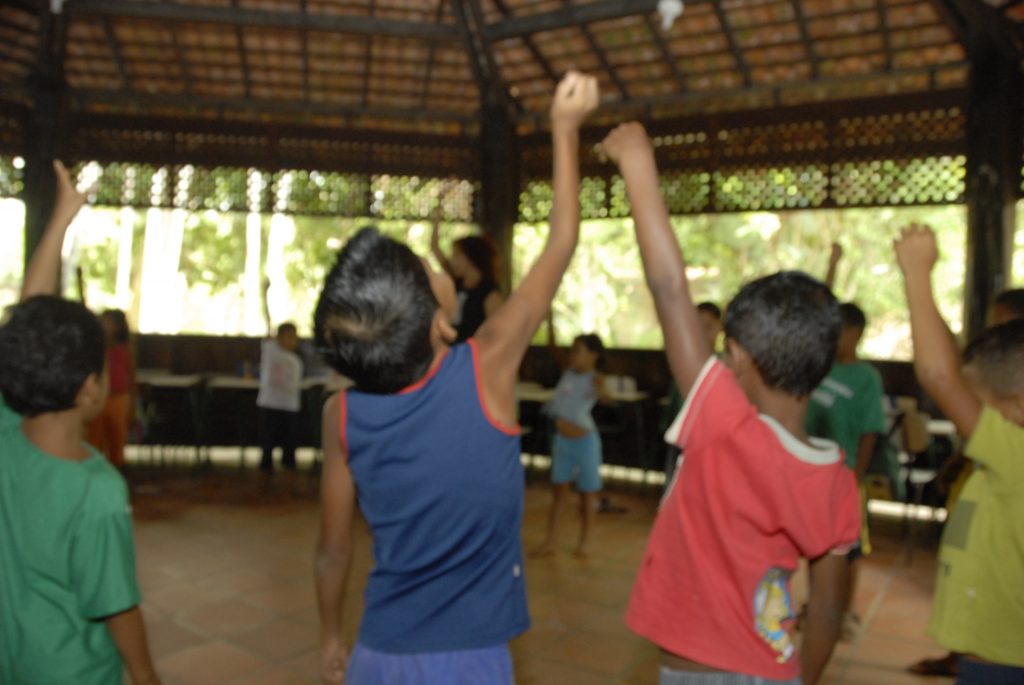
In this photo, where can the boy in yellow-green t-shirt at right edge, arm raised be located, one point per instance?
(979, 609)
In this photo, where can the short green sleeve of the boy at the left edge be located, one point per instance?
(103, 555)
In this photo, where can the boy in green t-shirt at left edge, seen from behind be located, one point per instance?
(69, 597)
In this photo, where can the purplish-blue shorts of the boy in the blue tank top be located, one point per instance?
(465, 667)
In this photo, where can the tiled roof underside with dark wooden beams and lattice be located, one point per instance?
(736, 92)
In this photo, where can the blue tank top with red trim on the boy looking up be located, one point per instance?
(442, 487)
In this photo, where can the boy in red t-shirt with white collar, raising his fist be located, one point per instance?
(754, 494)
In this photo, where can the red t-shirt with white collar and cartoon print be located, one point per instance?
(748, 502)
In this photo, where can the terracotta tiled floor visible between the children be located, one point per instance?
(226, 564)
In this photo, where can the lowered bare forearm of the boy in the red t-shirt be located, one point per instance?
(829, 582)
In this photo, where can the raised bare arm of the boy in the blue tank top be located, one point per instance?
(503, 339)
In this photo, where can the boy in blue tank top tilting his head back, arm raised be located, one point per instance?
(428, 444)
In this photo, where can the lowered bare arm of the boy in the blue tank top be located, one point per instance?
(334, 548)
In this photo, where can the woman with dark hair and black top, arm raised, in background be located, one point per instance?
(474, 266)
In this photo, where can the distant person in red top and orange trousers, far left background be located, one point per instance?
(109, 432)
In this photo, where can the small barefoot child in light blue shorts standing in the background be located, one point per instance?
(576, 451)
